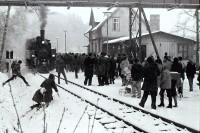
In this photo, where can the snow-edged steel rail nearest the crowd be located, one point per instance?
(182, 126)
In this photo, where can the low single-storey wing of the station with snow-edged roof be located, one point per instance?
(165, 42)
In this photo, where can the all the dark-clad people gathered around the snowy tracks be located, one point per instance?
(151, 75)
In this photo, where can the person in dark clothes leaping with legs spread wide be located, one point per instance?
(15, 66)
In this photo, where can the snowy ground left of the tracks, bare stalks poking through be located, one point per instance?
(33, 121)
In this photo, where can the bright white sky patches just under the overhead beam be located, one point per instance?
(168, 19)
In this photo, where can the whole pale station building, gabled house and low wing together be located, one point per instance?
(111, 35)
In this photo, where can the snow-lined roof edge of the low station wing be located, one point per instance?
(122, 39)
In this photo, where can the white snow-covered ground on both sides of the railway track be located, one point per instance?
(187, 112)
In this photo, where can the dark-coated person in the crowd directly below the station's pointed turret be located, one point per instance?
(89, 69)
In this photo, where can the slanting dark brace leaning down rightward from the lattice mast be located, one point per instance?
(149, 30)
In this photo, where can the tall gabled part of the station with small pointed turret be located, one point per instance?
(114, 25)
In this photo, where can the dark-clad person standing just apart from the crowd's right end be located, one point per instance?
(190, 72)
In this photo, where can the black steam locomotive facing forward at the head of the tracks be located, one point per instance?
(39, 54)
